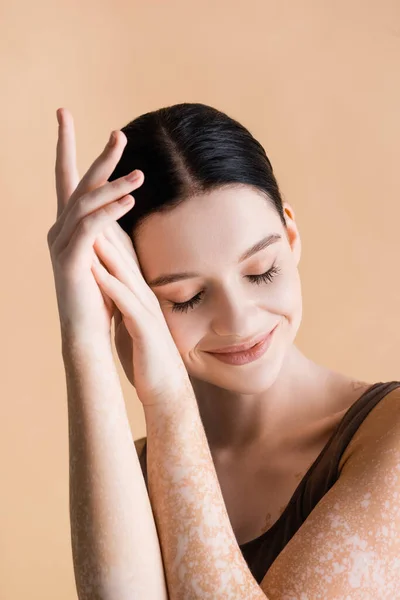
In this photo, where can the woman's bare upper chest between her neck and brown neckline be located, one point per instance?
(262, 481)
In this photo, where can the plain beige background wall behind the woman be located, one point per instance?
(316, 82)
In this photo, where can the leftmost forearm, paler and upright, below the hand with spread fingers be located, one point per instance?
(115, 546)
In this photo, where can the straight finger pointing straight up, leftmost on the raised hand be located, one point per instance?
(66, 171)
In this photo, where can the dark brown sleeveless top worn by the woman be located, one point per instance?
(261, 552)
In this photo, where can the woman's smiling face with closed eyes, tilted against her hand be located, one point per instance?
(225, 303)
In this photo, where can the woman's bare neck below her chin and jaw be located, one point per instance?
(235, 421)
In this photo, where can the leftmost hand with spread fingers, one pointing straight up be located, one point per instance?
(85, 209)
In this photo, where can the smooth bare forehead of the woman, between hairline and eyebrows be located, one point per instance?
(222, 221)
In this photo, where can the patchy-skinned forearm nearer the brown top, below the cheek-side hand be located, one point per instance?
(202, 558)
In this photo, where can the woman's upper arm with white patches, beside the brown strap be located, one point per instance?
(349, 546)
